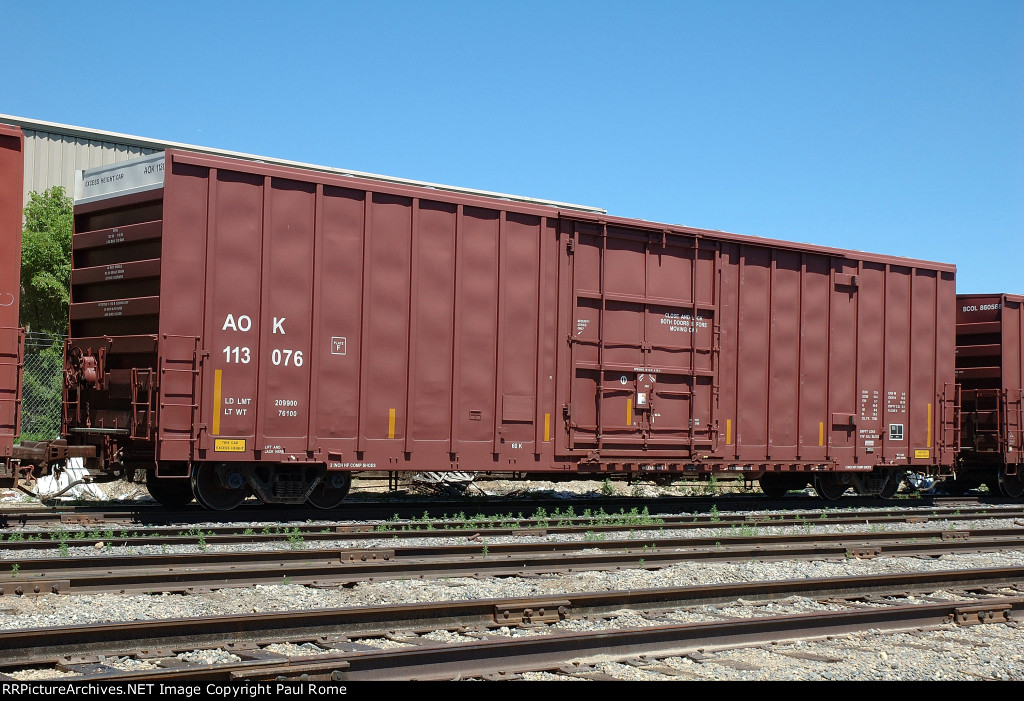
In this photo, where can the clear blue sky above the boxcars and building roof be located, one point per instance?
(892, 127)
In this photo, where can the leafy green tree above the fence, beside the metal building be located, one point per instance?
(47, 261)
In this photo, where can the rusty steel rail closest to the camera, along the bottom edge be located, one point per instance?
(504, 659)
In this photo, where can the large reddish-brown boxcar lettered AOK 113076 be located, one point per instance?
(267, 329)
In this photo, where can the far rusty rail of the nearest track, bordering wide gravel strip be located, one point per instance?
(342, 626)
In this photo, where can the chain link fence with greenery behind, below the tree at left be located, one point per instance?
(42, 382)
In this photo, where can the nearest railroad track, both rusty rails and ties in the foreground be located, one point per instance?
(343, 637)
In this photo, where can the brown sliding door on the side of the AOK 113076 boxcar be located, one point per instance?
(643, 342)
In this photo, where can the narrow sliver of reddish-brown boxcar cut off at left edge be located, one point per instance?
(12, 337)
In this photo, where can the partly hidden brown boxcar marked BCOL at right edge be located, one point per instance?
(991, 373)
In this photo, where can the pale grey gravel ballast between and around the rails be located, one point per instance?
(995, 651)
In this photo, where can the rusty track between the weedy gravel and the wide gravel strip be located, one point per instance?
(332, 566)
